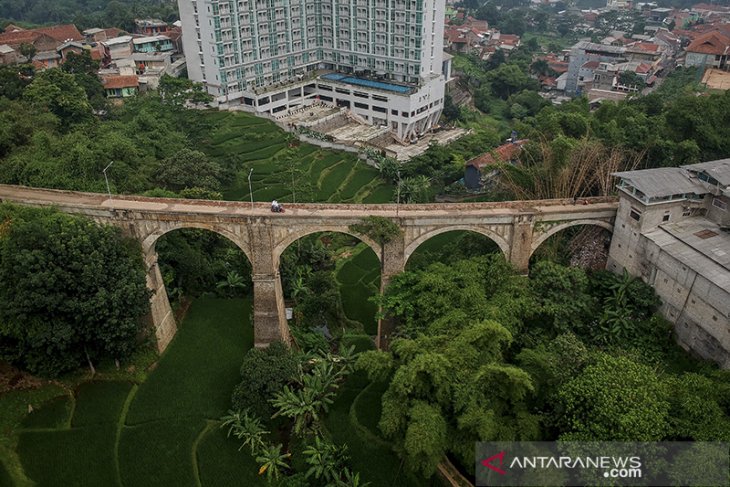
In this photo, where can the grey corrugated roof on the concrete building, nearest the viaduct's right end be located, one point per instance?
(664, 181)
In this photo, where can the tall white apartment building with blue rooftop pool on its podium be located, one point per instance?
(382, 59)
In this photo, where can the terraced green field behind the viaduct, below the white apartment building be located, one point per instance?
(313, 174)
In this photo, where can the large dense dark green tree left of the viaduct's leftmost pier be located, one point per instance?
(71, 291)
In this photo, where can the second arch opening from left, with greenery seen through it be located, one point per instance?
(327, 279)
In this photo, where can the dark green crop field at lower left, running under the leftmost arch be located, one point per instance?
(114, 433)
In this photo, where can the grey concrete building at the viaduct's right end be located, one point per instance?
(673, 230)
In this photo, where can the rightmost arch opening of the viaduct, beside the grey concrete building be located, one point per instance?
(581, 243)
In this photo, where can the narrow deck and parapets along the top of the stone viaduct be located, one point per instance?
(242, 209)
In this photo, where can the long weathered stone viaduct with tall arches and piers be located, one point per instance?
(518, 228)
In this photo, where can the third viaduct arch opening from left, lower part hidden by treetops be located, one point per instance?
(451, 244)
